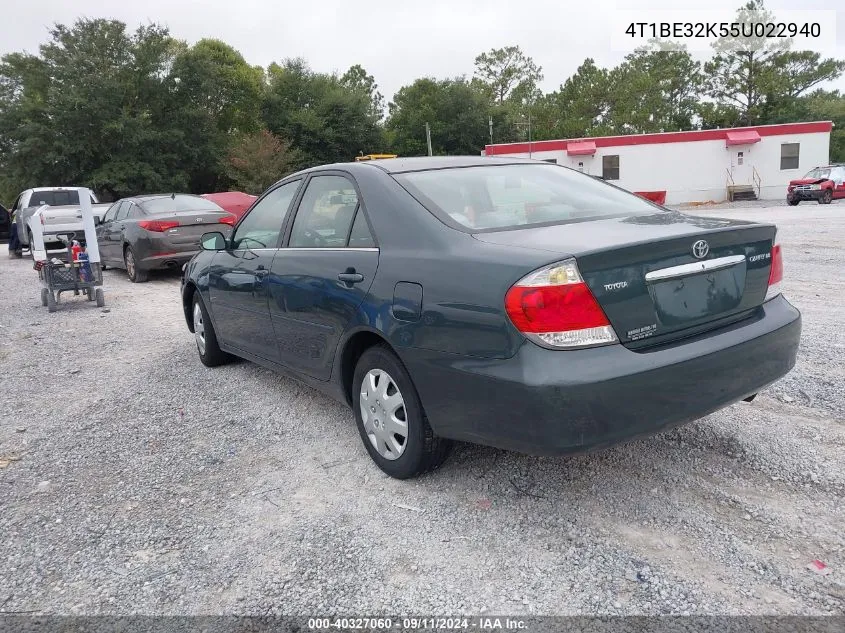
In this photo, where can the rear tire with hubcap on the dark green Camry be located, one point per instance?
(421, 450)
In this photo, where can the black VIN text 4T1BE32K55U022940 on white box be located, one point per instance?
(681, 30)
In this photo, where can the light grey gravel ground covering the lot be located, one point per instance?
(146, 483)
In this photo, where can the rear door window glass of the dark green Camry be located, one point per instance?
(325, 213)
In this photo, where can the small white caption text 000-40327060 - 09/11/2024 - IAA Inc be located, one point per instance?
(418, 624)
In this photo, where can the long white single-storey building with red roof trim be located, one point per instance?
(697, 166)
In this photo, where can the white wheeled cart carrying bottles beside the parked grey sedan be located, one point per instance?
(82, 272)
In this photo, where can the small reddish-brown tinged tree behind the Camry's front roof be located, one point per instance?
(257, 160)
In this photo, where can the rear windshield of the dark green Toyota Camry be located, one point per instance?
(493, 197)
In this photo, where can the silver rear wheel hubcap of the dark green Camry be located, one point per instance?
(383, 414)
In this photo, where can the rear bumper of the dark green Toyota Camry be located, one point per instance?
(547, 402)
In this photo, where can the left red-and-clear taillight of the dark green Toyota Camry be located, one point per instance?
(554, 307)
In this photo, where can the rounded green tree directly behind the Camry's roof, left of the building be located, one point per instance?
(456, 112)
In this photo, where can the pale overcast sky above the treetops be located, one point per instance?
(396, 41)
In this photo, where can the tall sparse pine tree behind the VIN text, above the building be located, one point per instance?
(745, 74)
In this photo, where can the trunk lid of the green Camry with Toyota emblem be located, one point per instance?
(665, 276)
